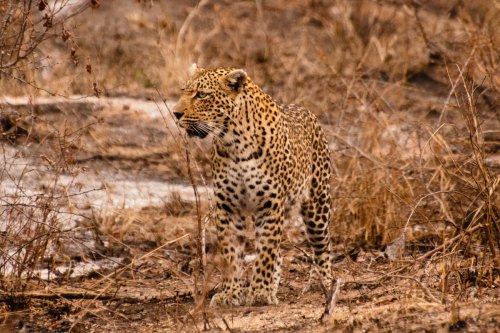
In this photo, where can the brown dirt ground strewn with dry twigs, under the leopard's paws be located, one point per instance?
(396, 305)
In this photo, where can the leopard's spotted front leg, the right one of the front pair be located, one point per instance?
(267, 266)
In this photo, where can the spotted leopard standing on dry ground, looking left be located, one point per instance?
(269, 162)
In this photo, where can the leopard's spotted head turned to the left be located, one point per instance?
(208, 99)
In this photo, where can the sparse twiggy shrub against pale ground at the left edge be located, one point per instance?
(35, 221)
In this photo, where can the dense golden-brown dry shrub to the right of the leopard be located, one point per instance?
(378, 185)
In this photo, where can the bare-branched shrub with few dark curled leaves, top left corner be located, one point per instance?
(25, 26)
